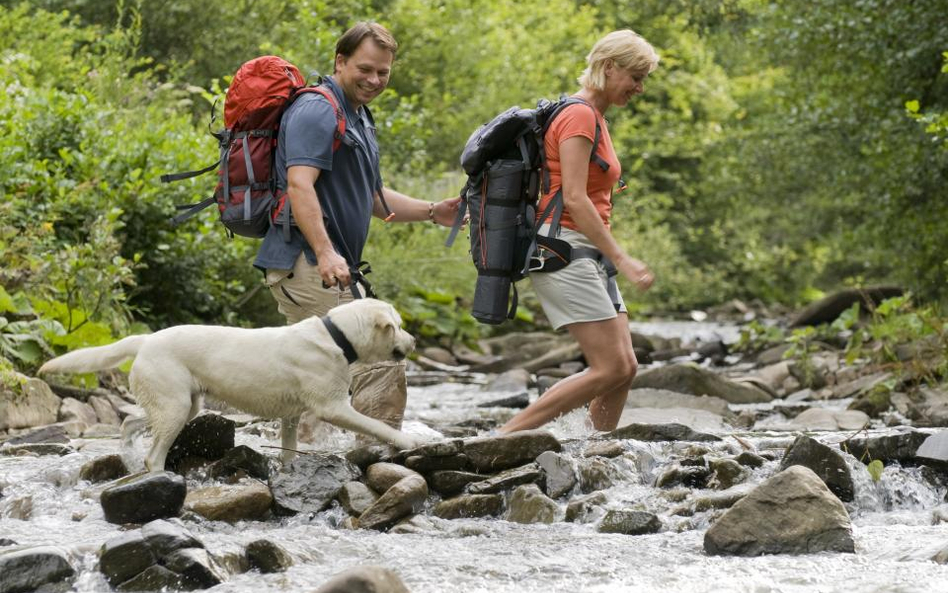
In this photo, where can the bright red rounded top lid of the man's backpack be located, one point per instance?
(260, 89)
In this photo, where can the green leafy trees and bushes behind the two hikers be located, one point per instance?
(781, 149)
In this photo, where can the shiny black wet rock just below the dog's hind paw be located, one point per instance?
(143, 497)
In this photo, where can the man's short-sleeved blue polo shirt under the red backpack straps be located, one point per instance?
(347, 182)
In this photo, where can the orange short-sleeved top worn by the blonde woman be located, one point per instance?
(580, 120)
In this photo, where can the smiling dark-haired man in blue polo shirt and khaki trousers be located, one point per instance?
(332, 196)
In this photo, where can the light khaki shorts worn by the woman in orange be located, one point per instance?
(579, 292)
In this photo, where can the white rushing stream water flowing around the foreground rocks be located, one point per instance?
(45, 503)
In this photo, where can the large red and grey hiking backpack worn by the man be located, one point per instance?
(246, 193)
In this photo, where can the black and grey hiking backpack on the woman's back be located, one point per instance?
(506, 166)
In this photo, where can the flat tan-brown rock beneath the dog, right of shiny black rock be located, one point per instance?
(248, 500)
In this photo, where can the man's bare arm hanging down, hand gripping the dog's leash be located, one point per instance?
(308, 215)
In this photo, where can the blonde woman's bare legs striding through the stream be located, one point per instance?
(607, 347)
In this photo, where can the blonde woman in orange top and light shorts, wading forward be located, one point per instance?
(577, 297)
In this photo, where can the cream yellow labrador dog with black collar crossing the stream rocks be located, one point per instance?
(275, 372)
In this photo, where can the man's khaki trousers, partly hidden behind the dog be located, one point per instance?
(379, 390)
